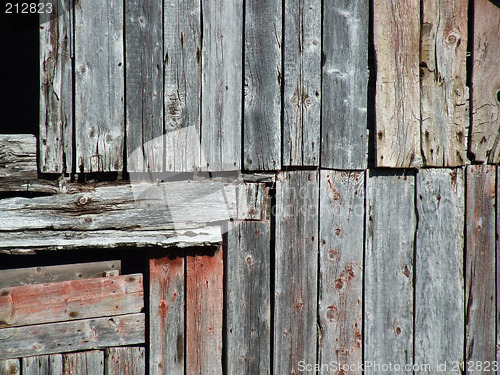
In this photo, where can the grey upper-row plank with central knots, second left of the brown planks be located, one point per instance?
(302, 85)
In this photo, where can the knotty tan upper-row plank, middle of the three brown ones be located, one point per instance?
(443, 76)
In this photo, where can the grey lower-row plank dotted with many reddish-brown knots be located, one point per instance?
(342, 197)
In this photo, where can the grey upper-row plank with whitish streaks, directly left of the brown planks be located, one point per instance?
(345, 79)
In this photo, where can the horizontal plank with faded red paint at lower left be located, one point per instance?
(69, 300)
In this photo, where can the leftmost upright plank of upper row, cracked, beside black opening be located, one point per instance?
(56, 88)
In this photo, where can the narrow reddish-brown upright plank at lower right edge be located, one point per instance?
(480, 263)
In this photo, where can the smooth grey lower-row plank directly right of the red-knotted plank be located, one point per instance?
(390, 230)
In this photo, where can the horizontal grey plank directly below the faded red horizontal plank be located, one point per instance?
(70, 336)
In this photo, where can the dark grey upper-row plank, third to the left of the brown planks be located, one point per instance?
(262, 107)
